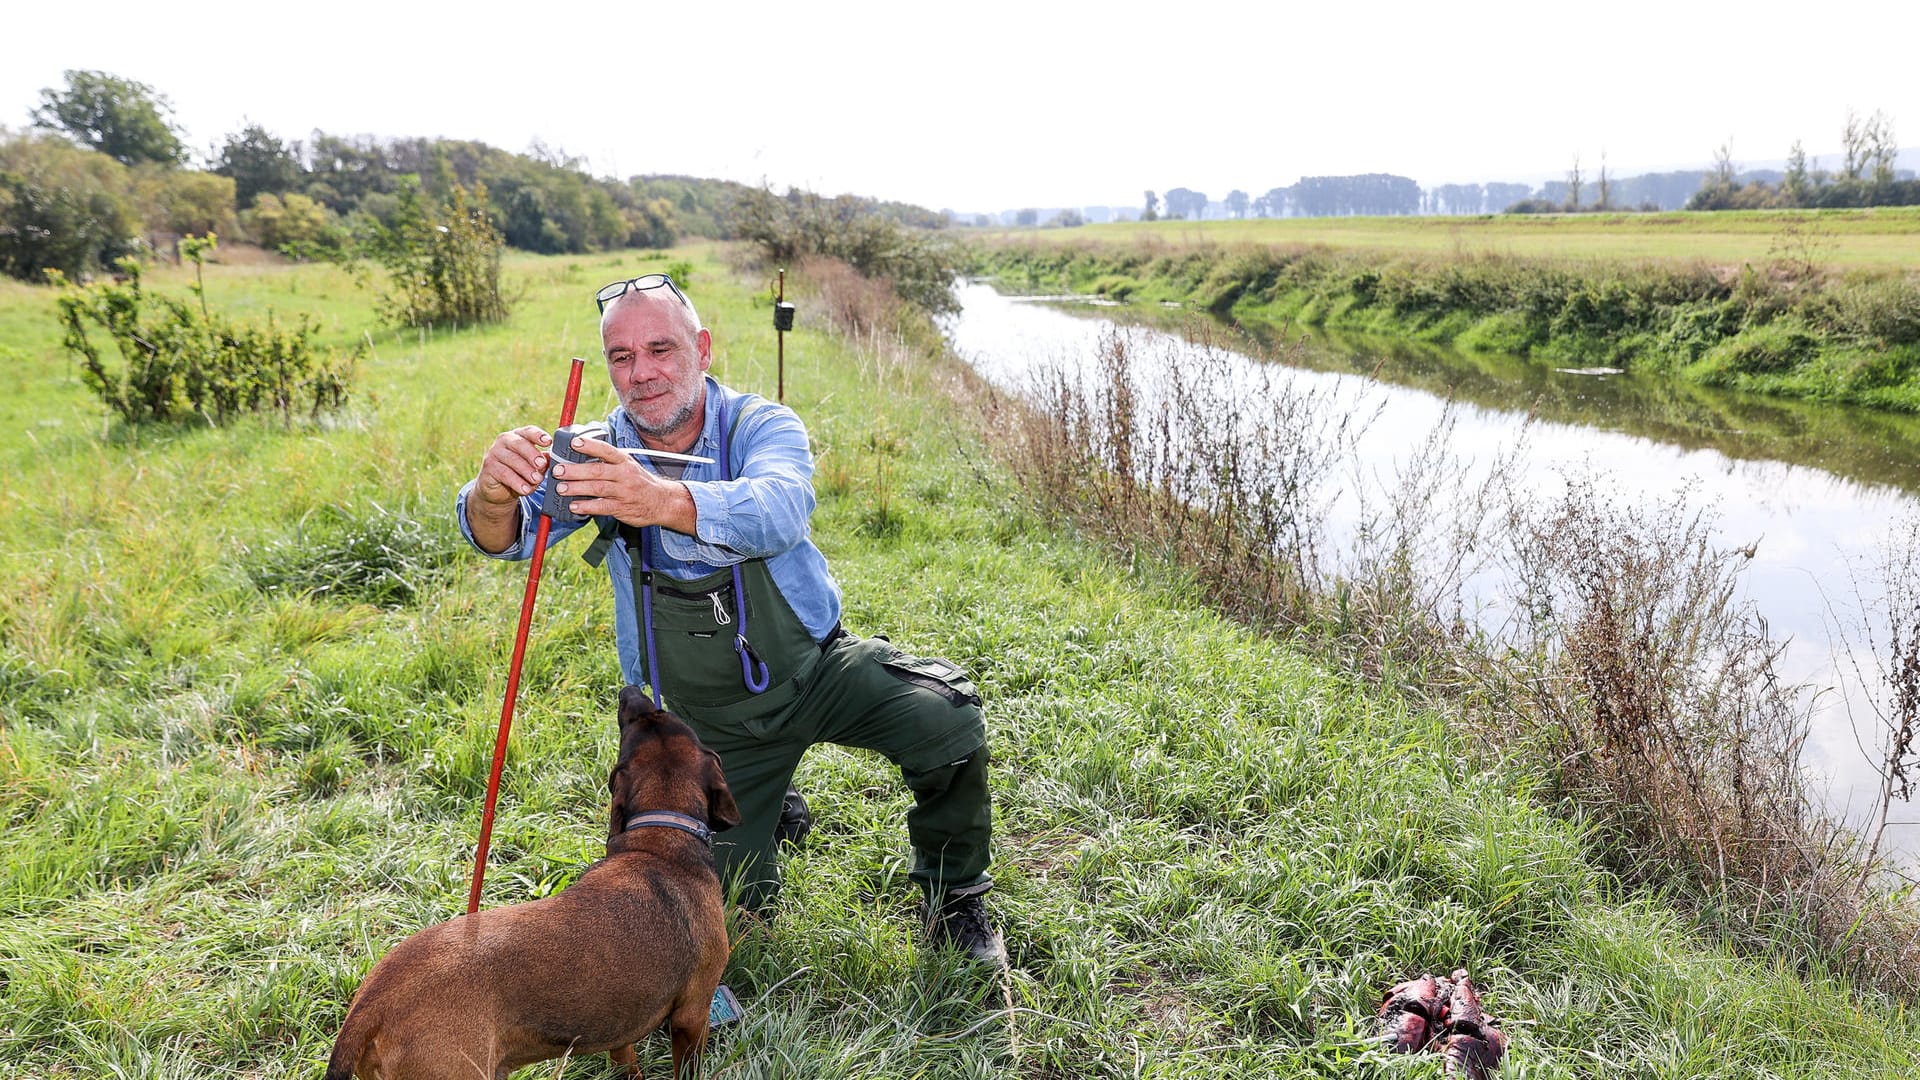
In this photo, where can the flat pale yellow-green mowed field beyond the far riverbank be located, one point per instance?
(1883, 237)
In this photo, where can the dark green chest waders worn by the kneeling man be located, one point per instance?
(919, 712)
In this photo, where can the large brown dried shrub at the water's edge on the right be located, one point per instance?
(1662, 697)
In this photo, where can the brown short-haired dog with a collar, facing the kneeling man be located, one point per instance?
(636, 943)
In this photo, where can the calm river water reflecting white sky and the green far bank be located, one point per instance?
(1819, 491)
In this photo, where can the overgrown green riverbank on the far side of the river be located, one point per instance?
(1790, 326)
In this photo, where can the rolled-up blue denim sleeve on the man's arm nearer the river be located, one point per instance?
(767, 508)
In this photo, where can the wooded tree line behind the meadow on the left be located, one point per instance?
(103, 172)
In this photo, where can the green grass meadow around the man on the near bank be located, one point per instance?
(239, 762)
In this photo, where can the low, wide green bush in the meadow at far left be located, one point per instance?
(180, 360)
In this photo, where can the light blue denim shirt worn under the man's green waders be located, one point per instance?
(763, 514)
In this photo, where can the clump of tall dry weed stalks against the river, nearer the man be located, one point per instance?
(1224, 470)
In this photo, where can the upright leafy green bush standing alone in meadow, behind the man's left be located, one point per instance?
(444, 260)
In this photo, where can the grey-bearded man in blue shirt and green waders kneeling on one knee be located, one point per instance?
(729, 612)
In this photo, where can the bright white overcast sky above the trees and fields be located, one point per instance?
(996, 107)
